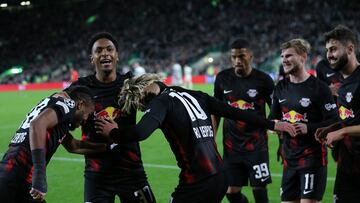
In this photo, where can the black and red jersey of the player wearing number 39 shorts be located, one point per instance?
(250, 94)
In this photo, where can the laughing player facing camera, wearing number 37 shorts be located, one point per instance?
(119, 171)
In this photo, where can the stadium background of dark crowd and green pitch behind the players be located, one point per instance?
(41, 41)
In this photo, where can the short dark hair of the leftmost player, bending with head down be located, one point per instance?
(80, 92)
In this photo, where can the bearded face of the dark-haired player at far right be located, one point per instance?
(336, 54)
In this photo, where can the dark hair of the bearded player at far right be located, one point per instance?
(342, 34)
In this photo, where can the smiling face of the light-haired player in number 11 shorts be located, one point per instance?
(291, 60)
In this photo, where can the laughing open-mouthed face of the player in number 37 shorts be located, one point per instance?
(104, 56)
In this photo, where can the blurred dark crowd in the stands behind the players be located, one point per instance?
(50, 37)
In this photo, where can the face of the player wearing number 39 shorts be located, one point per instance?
(241, 61)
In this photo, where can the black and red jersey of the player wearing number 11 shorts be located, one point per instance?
(309, 102)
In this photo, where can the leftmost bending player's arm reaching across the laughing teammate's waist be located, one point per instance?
(73, 145)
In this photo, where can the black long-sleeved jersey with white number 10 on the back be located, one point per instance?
(184, 116)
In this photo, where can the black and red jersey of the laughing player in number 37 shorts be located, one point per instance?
(124, 161)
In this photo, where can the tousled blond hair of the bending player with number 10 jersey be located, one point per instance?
(132, 92)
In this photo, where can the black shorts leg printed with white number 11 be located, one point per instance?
(313, 183)
